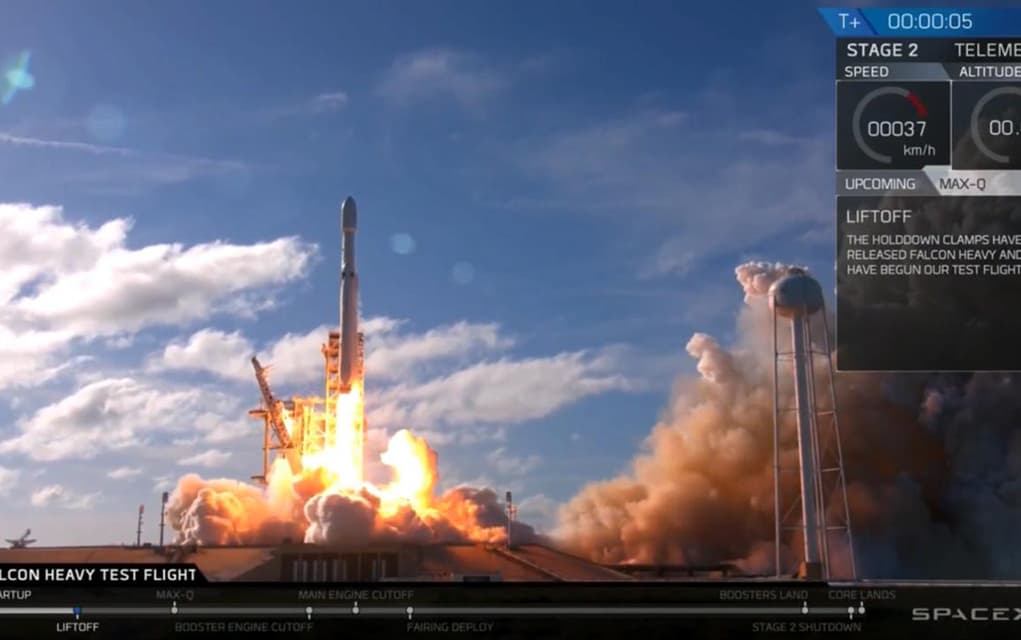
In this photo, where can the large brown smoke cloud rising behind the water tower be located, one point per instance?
(934, 465)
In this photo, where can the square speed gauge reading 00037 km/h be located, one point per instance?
(897, 126)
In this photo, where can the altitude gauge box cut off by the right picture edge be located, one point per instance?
(987, 126)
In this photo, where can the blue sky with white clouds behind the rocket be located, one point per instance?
(553, 200)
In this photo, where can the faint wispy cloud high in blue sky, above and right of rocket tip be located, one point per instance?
(443, 73)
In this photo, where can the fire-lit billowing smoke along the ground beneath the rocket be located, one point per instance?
(232, 513)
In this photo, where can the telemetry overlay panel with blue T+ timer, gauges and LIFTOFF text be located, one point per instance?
(929, 189)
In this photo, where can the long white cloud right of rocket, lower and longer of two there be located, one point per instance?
(506, 391)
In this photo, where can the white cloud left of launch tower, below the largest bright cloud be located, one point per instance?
(118, 414)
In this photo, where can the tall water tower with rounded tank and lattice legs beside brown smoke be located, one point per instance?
(812, 516)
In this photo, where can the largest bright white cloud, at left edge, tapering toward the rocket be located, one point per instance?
(62, 281)
